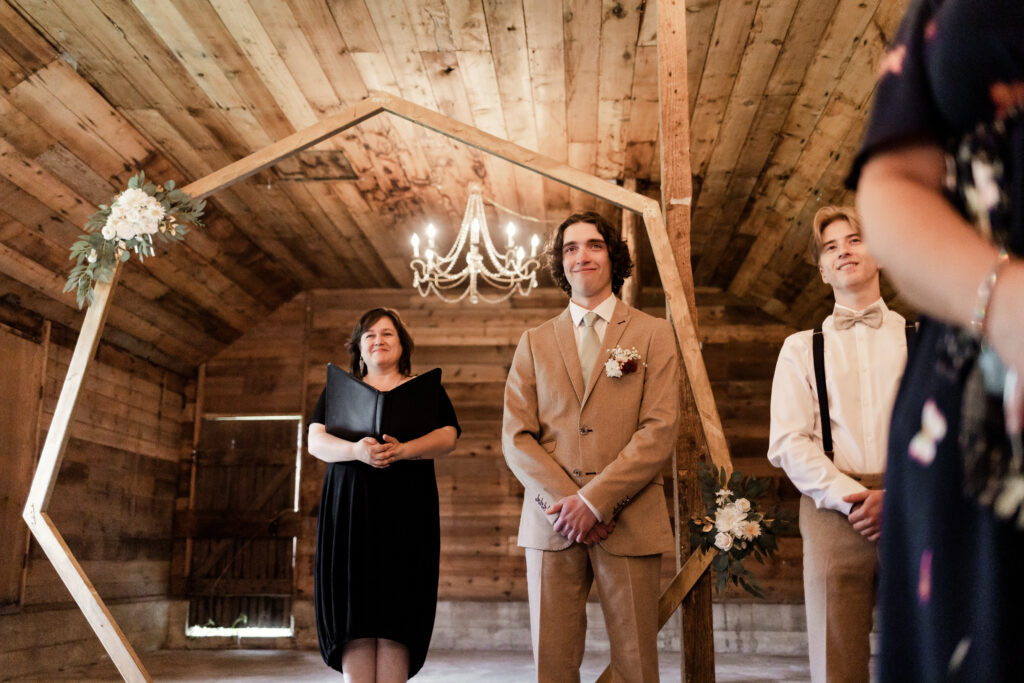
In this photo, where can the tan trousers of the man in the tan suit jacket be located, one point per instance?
(559, 583)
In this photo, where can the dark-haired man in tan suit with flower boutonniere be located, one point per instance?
(588, 436)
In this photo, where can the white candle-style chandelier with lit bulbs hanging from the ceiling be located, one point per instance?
(508, 274)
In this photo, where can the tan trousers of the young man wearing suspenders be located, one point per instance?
(839, 593)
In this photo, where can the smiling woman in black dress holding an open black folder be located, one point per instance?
(378, 536)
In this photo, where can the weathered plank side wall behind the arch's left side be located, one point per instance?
(113, 503)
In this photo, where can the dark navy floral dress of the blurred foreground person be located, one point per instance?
(953, 551)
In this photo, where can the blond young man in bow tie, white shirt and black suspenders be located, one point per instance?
(831, 404)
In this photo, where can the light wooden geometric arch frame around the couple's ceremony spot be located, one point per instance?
(42, 527)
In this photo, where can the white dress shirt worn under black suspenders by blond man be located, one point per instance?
(864, 367)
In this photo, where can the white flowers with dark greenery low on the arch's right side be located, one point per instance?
(734, 527)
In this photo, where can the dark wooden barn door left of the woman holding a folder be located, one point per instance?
(243, 524)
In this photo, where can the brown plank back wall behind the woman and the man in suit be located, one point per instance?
(267, 369)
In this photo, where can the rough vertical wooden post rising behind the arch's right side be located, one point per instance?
(677, 190)
